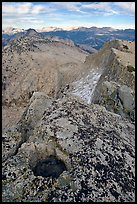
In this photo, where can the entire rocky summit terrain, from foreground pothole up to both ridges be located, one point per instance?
(68, 121)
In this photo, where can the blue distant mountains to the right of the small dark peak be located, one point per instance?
(94, 37)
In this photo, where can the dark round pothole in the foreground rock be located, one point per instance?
(50, 166)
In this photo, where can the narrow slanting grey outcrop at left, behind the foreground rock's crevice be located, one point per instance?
(24, 127)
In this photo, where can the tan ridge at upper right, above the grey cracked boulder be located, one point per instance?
(115, 58)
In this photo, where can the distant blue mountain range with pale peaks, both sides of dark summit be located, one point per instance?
(89, 38)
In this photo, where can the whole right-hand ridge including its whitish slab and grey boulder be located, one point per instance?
(109, 78)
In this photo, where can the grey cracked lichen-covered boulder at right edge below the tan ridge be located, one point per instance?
(118, 99)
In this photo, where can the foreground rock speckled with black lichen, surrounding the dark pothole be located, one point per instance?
(96, 146)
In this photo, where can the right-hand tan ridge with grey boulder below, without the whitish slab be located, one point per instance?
(117, 62)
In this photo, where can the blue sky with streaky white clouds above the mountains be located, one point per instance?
(119, 15)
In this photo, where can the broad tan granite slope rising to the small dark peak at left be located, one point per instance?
(36, 63)
